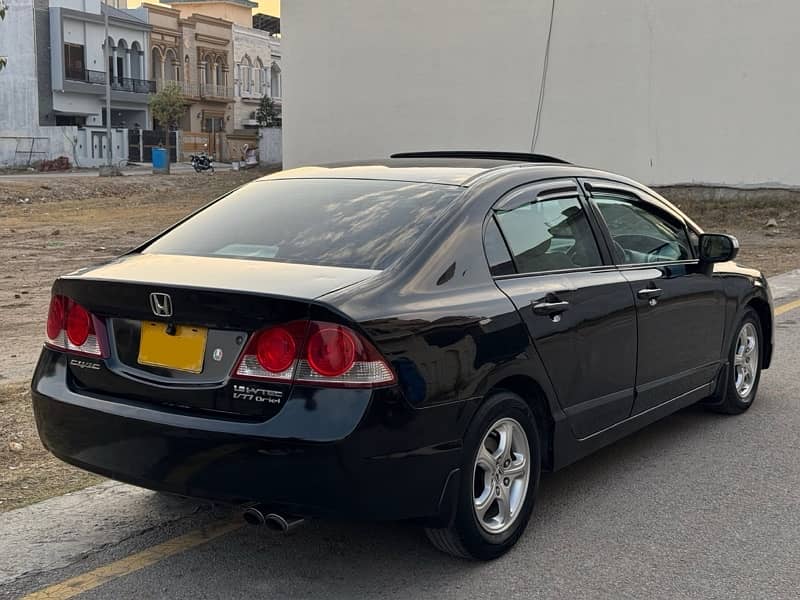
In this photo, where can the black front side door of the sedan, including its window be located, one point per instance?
(680, 306)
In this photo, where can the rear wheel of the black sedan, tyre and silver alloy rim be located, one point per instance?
(498, 481)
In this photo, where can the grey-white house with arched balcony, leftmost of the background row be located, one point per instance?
(54, 85)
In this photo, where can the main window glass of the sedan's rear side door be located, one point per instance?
(549, 235)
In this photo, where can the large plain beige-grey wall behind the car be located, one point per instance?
(665, 91)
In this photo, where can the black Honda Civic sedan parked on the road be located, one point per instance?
(413, 338)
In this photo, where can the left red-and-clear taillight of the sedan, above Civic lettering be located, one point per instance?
(71, 327)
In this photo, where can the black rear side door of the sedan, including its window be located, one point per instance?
(579, 309)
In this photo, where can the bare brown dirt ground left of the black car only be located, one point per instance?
(67, 223)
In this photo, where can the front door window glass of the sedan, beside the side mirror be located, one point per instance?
(640, 233)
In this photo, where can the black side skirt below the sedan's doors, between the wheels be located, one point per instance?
(568, 449)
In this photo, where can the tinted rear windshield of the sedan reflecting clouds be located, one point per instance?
(337, 222)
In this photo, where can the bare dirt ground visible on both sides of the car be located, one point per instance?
(55, 225)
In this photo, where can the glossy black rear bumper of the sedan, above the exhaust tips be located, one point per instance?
(387, 468)
